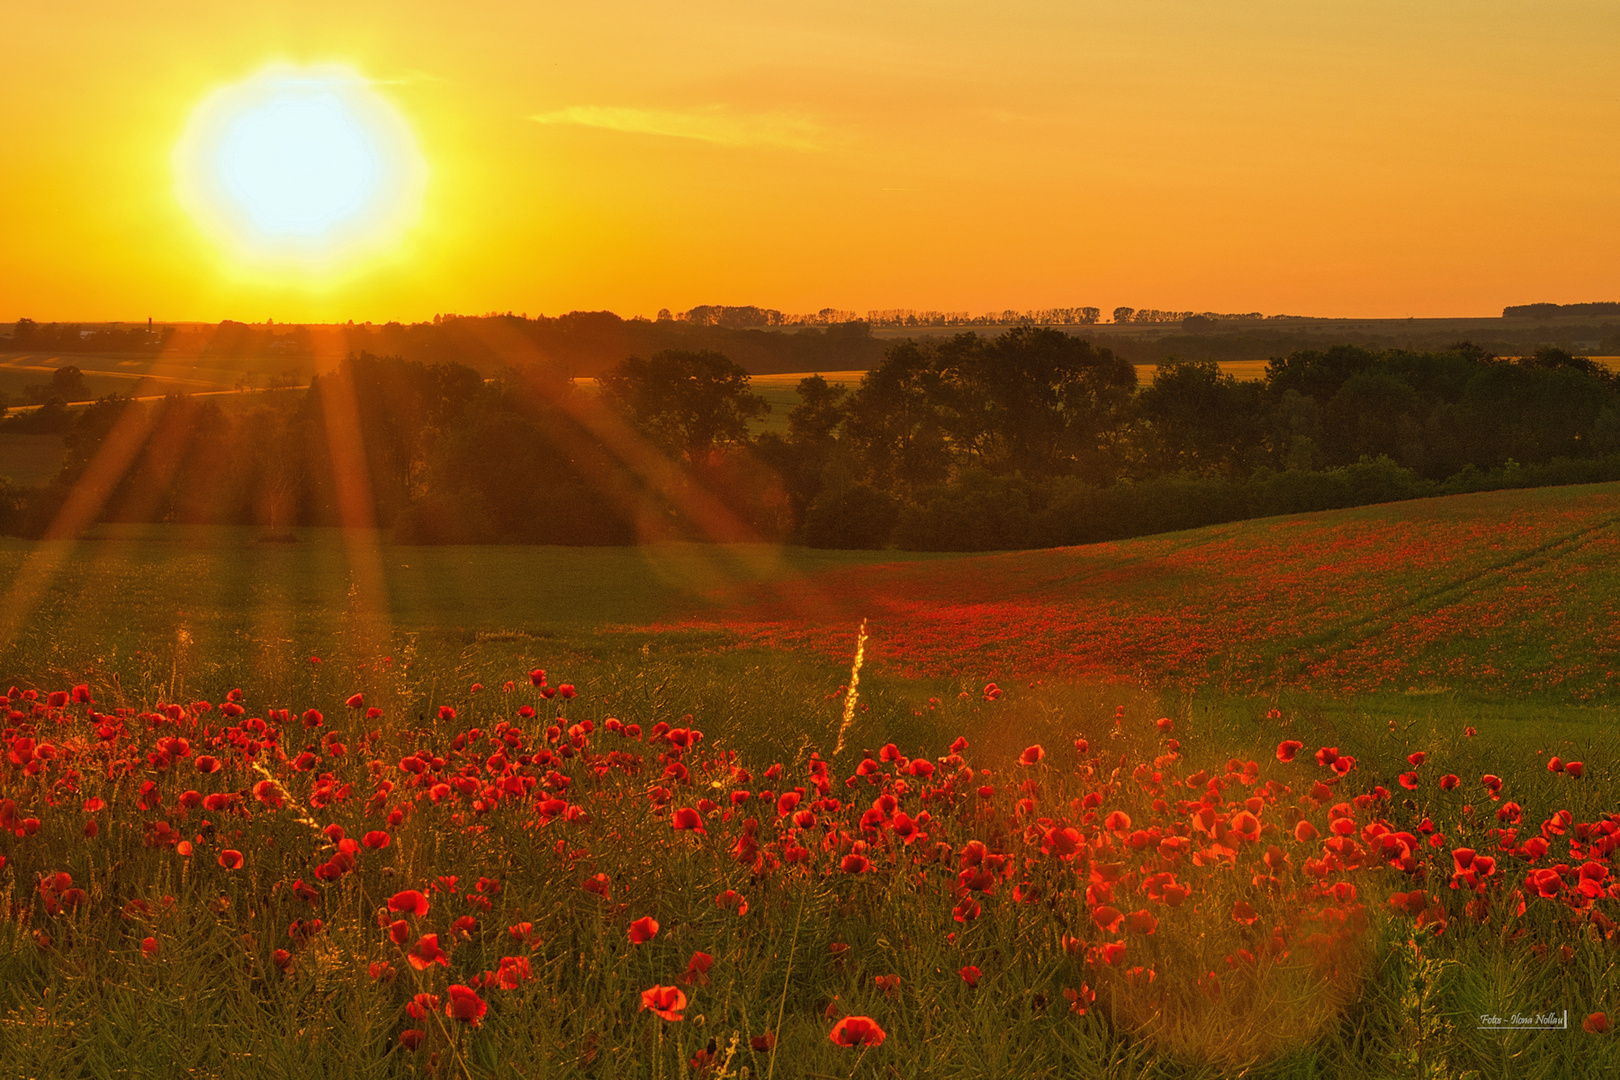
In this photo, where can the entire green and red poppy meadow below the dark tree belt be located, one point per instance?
(1298, 797)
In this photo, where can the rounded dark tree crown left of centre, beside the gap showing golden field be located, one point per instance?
(689, 404)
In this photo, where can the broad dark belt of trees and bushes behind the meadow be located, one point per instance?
(966, 443)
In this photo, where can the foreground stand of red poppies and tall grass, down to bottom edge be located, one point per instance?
(519, 888)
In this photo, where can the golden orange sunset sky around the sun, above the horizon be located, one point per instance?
(1326, 158)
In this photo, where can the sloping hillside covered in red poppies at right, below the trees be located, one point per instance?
(1496, 593)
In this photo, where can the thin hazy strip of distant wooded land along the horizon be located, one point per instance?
(762, 341)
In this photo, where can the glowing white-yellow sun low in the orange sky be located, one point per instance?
(301, 168)
